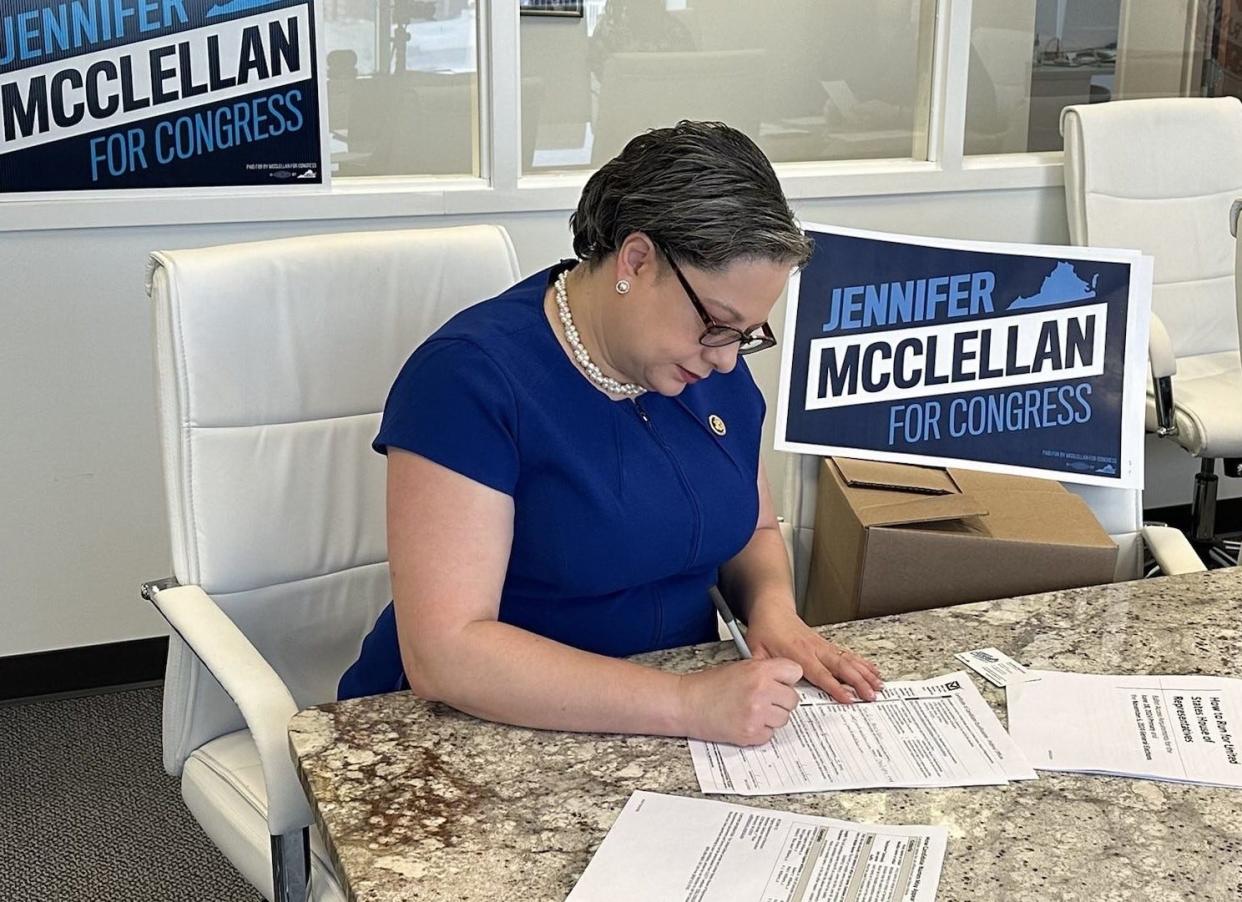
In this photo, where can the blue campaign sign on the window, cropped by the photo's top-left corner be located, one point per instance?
(99, 95)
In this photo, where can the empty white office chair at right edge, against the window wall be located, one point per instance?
(1159, 176)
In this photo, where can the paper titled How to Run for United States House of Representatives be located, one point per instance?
(1183, 729)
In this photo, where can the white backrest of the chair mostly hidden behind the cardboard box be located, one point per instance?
(1118, 510)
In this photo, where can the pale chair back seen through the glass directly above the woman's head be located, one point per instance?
(641, 91)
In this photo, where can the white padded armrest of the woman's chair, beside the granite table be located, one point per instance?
(265, 701)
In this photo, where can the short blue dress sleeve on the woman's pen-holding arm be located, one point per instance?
(454, 406)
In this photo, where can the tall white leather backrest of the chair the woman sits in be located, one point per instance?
(275, 361)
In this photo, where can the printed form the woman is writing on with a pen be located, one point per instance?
(917, 734)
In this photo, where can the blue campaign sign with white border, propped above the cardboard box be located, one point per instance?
(1015, 358)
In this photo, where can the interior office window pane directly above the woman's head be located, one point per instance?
(809, 80)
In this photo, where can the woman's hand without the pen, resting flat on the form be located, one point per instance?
(776, 631)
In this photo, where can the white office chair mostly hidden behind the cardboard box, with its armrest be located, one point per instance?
(1118, 510)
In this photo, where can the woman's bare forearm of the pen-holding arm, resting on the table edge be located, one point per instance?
(502, 673)
